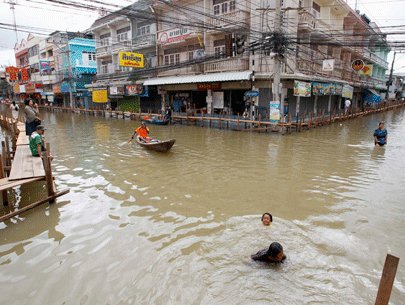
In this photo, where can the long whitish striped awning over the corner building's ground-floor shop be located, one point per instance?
(203, 78)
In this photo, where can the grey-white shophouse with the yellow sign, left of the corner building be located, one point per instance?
(131, 29)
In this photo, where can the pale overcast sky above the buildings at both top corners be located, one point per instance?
(35, 13)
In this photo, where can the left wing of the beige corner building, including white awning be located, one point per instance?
(198, 67)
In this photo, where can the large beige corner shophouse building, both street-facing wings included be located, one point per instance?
(200, 66)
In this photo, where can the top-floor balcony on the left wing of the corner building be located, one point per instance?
(235, 19)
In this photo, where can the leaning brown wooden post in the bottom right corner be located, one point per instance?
(387, 280)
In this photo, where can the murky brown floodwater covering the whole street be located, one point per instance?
(140, 227)
